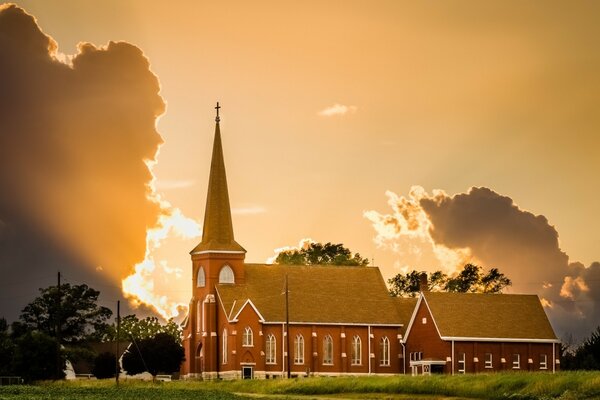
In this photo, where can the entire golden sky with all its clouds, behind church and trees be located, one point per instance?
(422, 135)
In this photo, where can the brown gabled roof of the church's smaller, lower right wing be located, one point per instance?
(477, 316)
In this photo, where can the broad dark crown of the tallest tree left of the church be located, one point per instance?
(73, 308)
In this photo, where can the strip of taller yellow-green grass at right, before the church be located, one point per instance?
(564, 385)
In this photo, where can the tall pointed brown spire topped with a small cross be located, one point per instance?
(217, 234)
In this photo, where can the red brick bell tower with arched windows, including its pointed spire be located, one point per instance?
(217, 259)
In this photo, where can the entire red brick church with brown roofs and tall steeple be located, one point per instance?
(266, 321)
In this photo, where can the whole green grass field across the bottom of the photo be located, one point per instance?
(526, 386)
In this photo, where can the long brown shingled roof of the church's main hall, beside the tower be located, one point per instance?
(317, 294)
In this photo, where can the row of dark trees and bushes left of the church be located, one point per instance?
(64, 322)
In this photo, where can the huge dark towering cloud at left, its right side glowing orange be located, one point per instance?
(74, 141)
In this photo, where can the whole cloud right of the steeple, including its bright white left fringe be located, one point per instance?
(487, 228)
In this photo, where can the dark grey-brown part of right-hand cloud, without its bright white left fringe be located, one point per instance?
(522, 245)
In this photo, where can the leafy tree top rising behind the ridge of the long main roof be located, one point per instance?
(321, 254)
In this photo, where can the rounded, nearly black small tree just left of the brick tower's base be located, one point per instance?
(161, 353)
